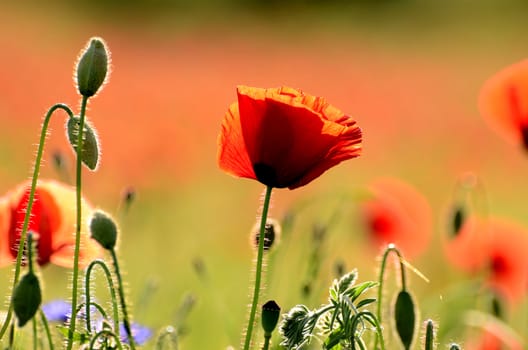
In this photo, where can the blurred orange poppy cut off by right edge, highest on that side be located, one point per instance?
(503, 102)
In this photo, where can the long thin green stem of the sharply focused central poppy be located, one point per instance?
(258, 270)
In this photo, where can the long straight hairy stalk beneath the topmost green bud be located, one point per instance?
(78, 188)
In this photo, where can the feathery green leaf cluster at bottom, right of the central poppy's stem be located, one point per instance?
(342, 322)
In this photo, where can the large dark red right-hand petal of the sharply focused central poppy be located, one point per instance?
(287, 132)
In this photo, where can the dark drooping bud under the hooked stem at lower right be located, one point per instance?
(405, 317)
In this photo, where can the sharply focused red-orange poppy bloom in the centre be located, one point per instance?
(284, 138)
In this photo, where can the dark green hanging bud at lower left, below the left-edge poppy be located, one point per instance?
(26, 298)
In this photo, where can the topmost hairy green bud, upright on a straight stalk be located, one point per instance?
(92, 67)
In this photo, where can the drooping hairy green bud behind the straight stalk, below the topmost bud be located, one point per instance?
(90, 144)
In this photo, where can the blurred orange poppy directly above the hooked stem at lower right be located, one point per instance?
(397, 213)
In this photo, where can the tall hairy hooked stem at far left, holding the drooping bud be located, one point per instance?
(31, 198)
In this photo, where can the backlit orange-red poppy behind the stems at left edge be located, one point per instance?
(53, 220)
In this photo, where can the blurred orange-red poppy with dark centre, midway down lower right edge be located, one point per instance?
(497, 248)
